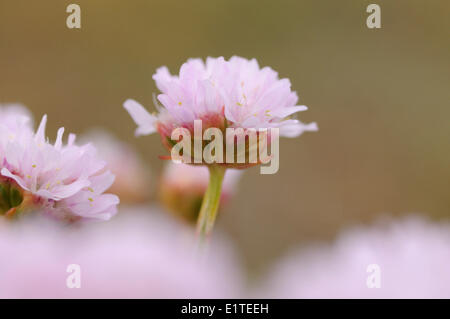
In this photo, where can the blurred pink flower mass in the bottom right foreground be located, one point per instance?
(411, 257)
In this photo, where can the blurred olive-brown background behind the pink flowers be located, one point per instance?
(380, 97)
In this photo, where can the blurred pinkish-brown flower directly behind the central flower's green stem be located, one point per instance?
(182, 188)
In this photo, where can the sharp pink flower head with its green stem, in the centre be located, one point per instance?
(220, 95)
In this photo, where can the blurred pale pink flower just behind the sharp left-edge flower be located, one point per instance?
(132, 183)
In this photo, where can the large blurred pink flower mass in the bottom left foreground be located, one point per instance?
(133, 256)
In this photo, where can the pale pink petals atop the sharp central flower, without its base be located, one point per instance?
(237, 90)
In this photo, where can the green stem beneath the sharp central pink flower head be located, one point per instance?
(210, 204)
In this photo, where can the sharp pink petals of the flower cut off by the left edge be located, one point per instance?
(66, 181)
